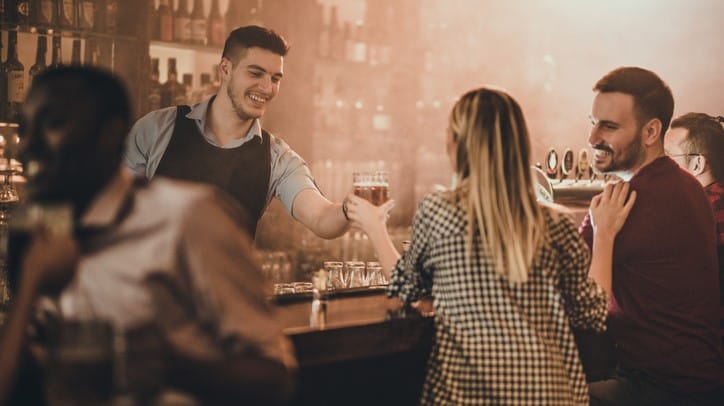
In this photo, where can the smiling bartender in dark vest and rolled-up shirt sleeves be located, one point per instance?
(220, 140)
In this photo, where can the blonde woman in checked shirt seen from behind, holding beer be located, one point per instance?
(509, 276)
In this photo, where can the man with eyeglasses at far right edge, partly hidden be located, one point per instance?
(696, 142)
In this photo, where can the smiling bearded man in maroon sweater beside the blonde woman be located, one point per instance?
(663, 313)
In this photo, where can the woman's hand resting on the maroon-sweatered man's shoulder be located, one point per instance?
(610, 208)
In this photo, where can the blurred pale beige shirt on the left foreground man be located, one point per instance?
(170, 253)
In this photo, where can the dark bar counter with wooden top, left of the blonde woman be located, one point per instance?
(369, 350)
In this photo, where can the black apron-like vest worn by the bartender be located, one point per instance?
(242, 172)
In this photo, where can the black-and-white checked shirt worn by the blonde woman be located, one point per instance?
(498, 342)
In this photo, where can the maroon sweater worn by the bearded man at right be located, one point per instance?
(664, 312)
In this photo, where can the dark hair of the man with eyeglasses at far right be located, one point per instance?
(706, 137)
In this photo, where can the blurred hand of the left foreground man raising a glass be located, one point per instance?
(50, 262)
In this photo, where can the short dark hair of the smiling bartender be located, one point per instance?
(251, 36)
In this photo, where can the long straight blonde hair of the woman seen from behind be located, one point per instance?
(493, 166)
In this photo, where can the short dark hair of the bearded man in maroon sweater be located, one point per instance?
(652, 96)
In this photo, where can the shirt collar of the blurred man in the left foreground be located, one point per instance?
(110, 204)
